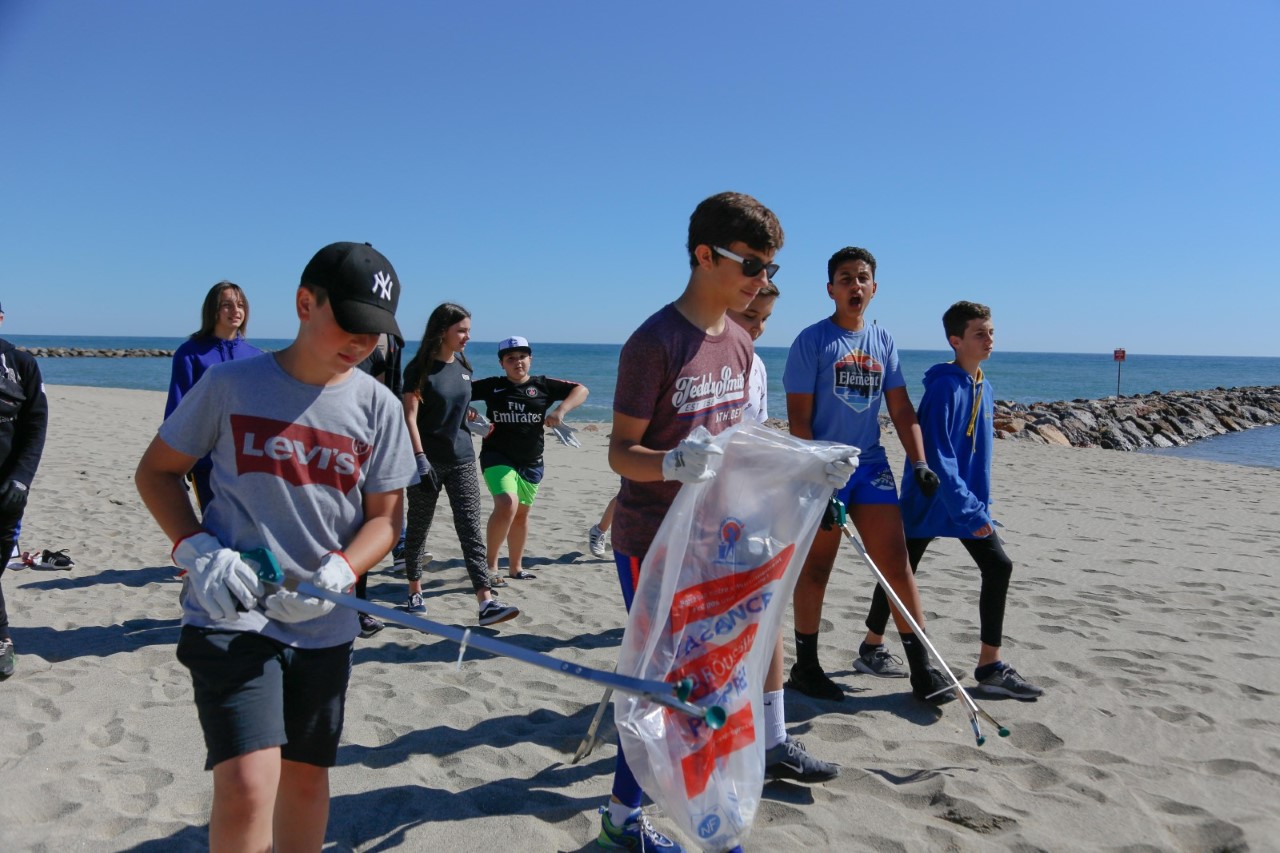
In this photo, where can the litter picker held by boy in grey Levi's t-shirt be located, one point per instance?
(670, 696)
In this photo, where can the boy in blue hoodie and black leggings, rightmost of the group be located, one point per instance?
(956, 418)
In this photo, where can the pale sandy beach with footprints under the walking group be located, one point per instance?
(1146, 600)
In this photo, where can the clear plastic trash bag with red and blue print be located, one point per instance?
(714, 590)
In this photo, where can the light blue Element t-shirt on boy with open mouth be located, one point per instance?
(848, 375)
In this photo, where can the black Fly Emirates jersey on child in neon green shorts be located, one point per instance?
(518, 414)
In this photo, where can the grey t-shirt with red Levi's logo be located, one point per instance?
(291, 464)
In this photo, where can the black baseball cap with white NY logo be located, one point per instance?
(363, 288)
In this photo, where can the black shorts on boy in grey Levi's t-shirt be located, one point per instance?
(254, 694)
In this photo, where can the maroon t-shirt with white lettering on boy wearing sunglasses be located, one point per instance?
(676, 377)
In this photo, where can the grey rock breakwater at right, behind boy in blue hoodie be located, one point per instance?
(1169, 419)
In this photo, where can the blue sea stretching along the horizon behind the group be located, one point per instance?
(1020, 377)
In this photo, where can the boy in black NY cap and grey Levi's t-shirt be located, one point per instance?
(310, 459)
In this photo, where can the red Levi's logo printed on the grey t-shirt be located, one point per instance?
(296, 454)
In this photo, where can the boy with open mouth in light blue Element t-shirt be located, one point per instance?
(839, 372)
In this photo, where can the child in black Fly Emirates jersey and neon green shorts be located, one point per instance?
(511, 455)
